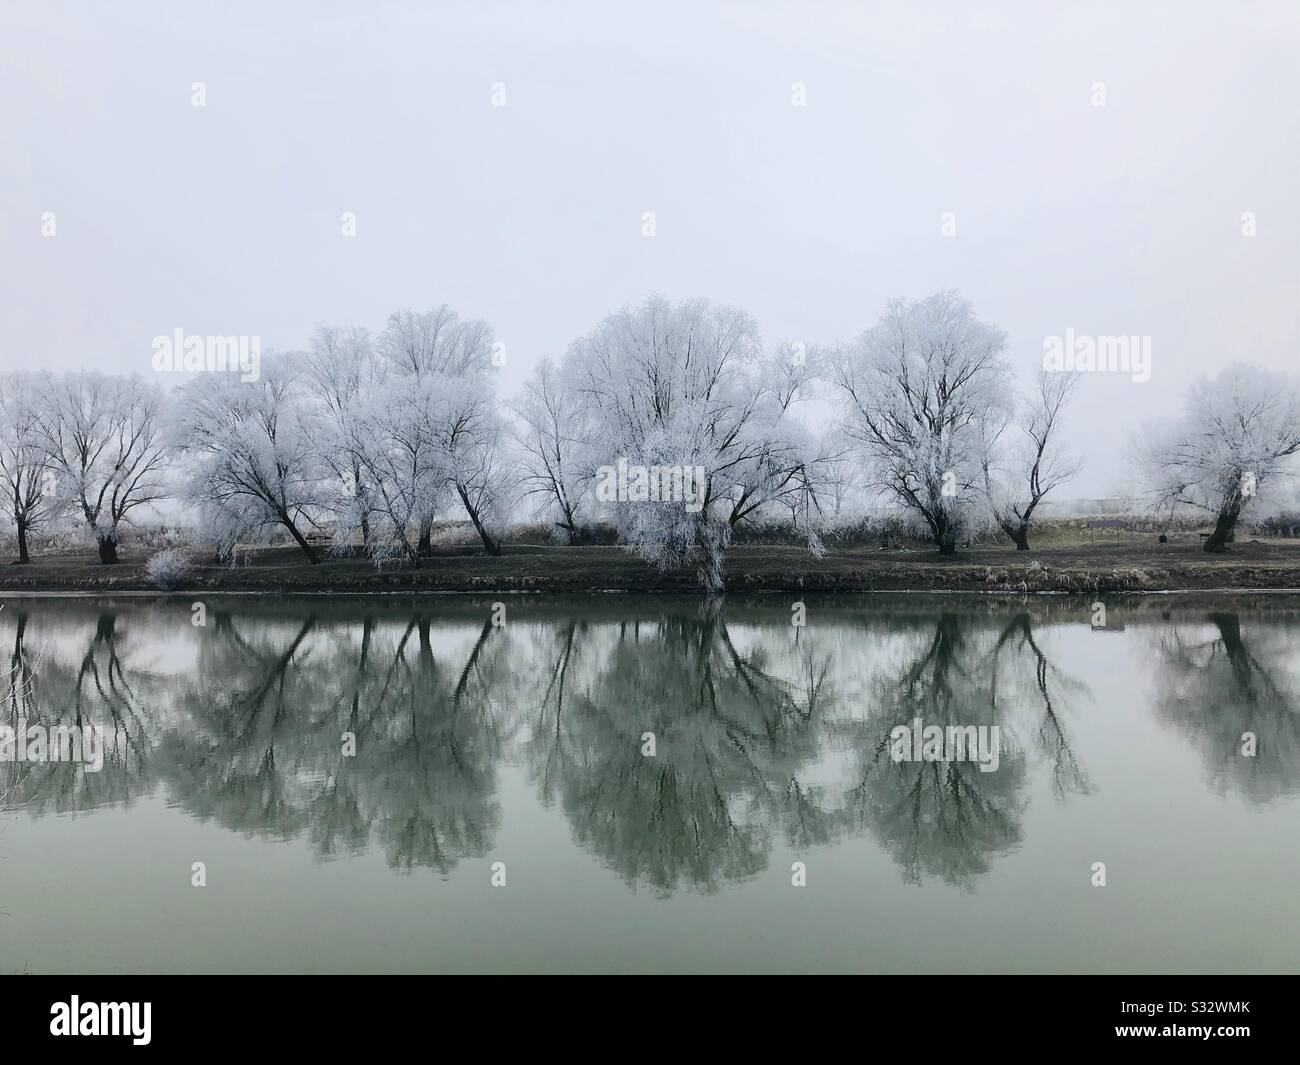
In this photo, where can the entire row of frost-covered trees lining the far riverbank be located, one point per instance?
(372, 439)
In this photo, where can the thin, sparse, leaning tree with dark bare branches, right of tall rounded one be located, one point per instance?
(1022, 458)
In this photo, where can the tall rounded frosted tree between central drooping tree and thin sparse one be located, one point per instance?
(915, 391)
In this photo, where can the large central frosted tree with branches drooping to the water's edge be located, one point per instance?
(681, 387)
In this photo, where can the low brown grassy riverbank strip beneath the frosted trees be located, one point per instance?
(527, 569)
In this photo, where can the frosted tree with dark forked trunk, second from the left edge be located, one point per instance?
(103, 441)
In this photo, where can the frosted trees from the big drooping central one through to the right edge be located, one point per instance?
(928, 417)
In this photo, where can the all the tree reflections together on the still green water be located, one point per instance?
(764, 733)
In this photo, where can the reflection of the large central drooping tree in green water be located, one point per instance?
(729, 739)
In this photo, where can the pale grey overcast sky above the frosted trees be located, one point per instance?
(226, 219)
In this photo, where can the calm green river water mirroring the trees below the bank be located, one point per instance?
(523, 746)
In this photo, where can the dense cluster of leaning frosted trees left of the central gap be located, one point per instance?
(367, 439)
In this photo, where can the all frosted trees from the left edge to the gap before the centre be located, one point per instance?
(352, 438)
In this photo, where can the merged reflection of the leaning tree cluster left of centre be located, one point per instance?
(267, 752)
